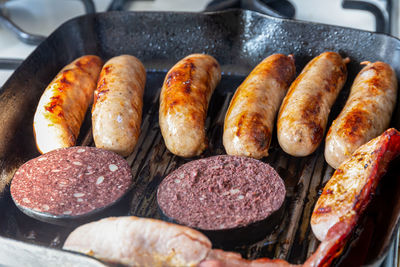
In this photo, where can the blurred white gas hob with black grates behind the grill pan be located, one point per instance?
(24, 23)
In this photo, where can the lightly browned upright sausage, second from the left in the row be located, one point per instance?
(118, 102)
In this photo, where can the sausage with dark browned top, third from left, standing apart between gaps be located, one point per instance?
(184, 99)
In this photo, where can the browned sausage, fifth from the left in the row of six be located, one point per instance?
(304, 111)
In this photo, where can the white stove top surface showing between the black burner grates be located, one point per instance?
(44, 16)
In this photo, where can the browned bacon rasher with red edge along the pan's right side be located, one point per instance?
(347, 194)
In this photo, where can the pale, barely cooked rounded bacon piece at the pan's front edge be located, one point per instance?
(137, 241)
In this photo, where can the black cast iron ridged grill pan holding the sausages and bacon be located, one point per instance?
(239, 40)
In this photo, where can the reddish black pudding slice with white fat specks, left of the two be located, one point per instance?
(71, 181)
